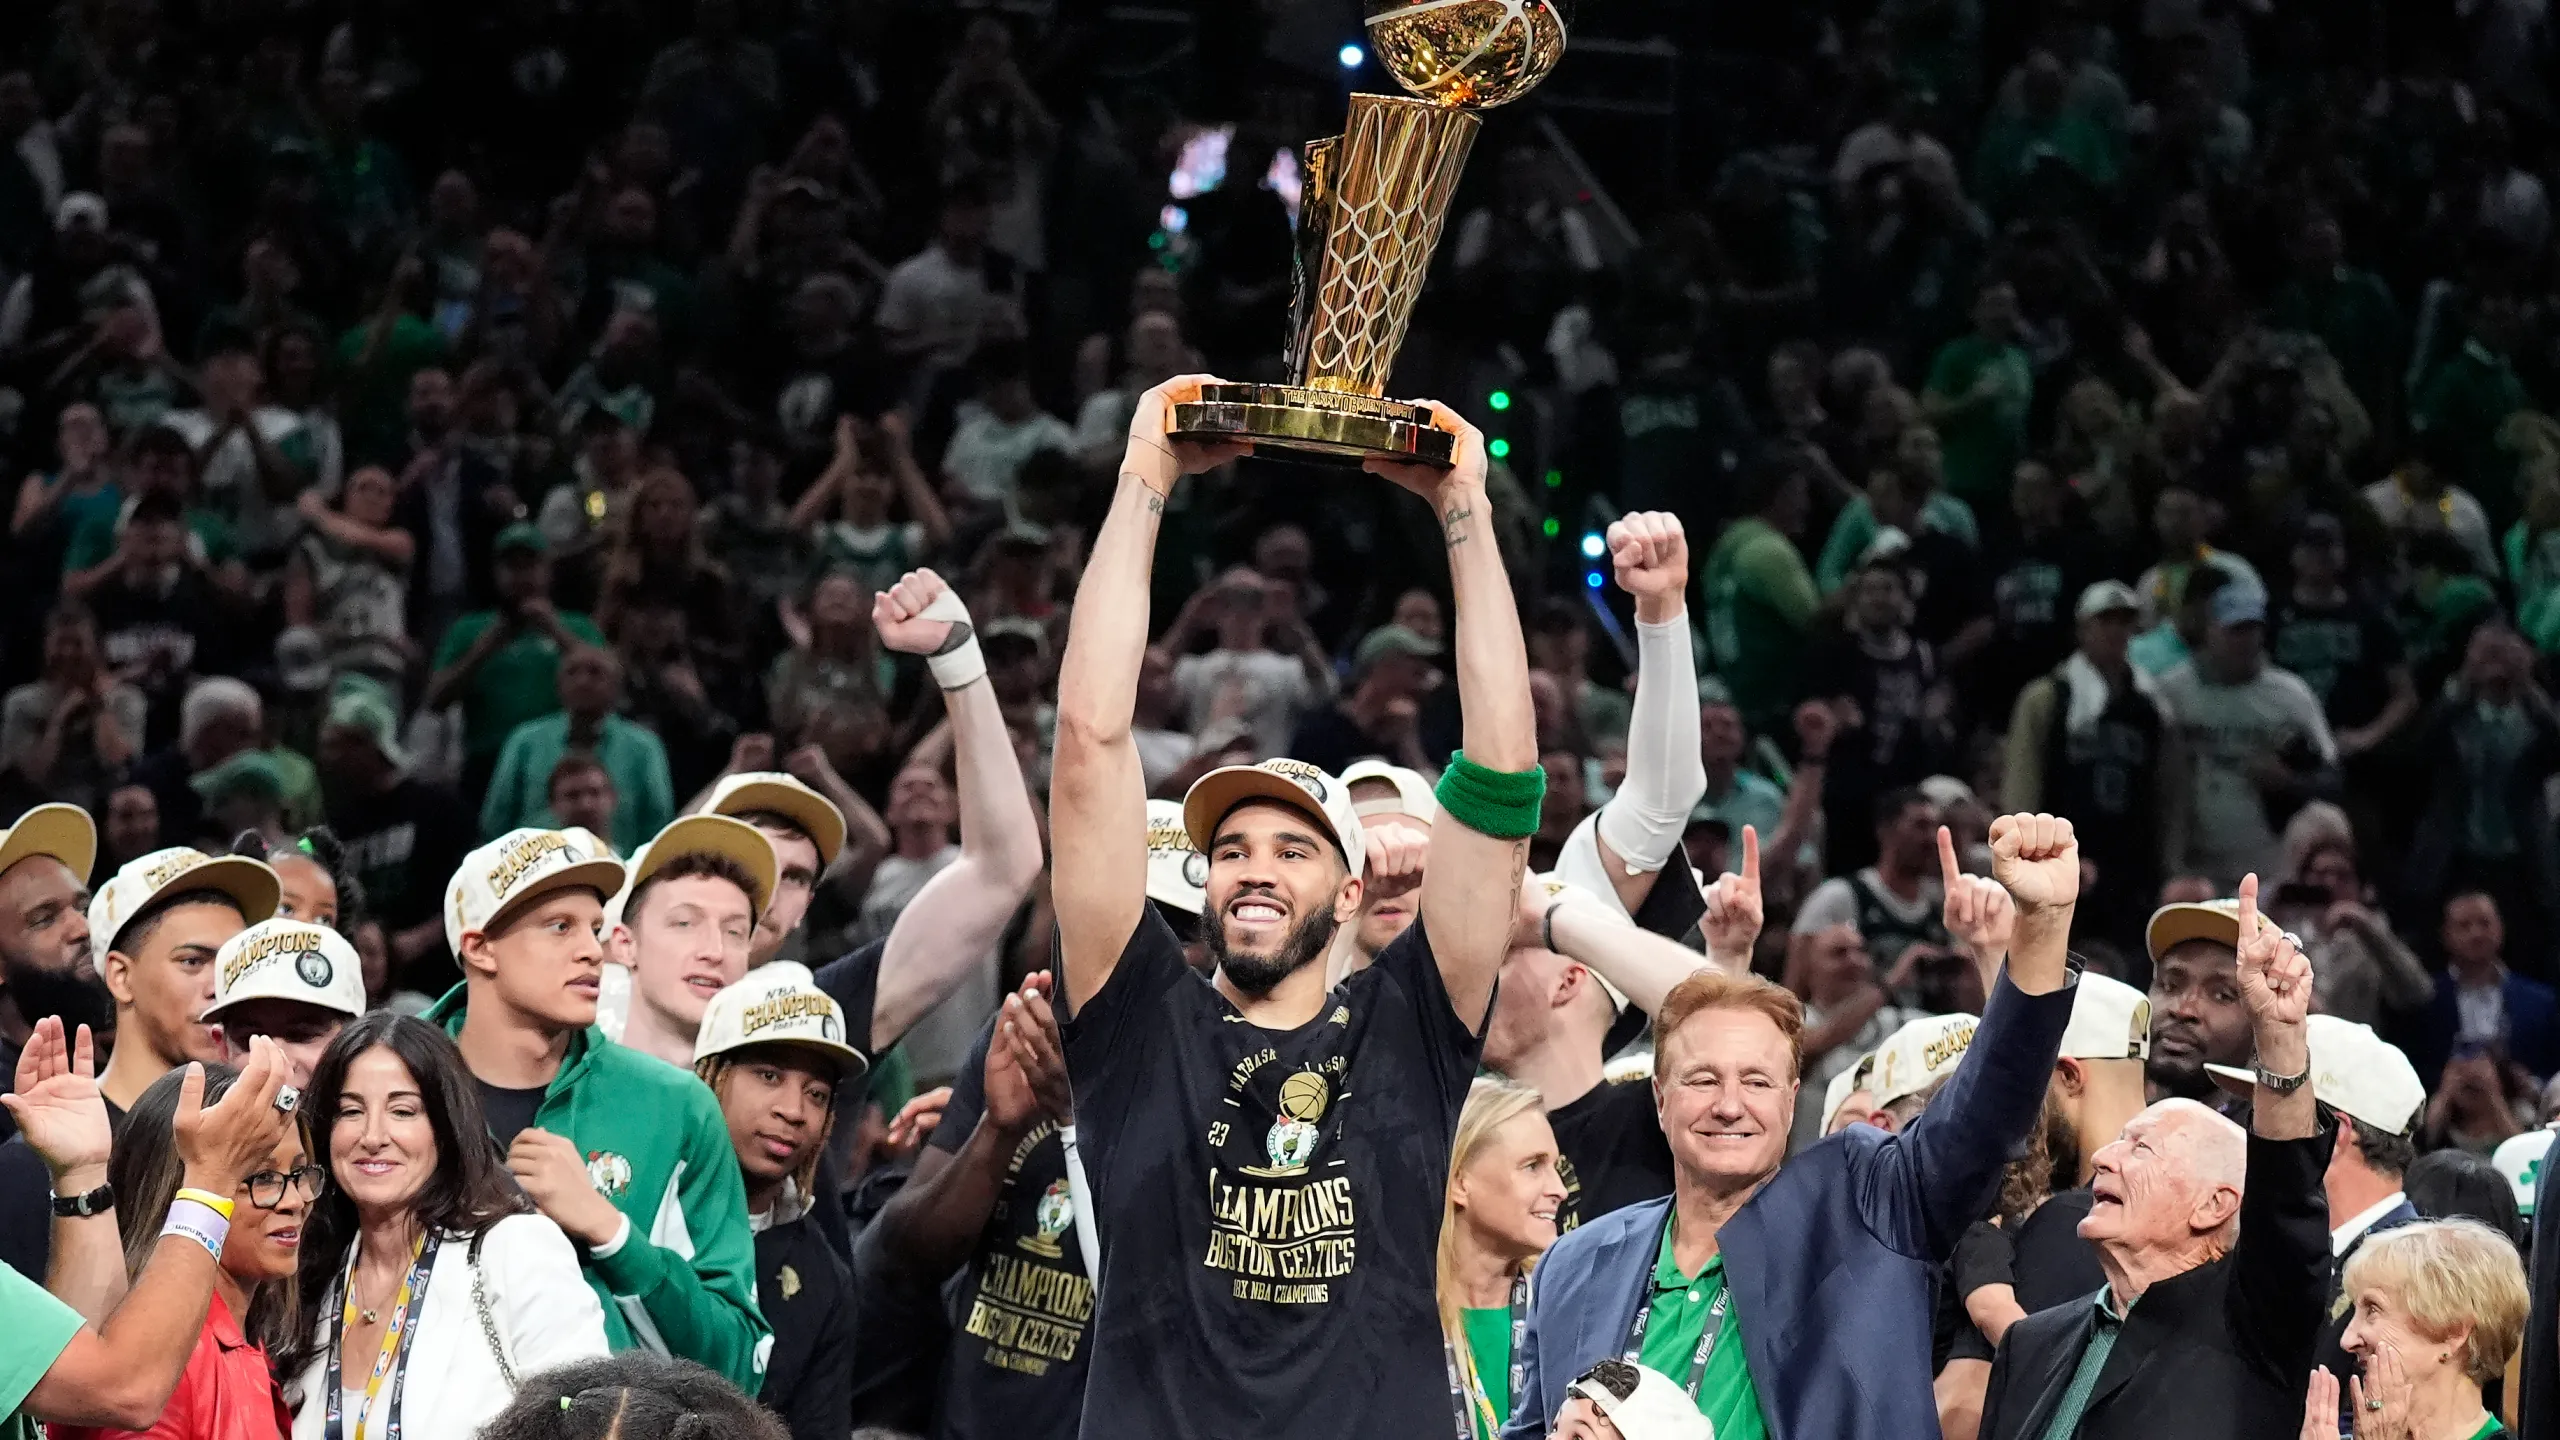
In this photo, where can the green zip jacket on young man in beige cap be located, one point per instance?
(657, 1147)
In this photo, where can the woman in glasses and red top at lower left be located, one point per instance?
(255, 1234)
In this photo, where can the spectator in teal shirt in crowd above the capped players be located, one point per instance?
(588, 724)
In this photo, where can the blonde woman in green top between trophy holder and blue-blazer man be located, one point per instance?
(1499, 1218)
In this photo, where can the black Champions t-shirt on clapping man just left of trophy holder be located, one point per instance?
(1023, 1308)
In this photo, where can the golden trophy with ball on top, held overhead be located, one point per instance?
(1373, 209)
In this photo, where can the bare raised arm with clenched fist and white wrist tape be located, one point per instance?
(951, 926)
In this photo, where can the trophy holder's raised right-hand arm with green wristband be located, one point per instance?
(1473, 880)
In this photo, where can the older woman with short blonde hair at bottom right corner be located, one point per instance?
(2436, 1313)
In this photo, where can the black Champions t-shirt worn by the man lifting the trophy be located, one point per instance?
(1268, 1200)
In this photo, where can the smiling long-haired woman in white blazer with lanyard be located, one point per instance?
(429, 1288)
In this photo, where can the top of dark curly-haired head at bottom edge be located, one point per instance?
(634, 1395)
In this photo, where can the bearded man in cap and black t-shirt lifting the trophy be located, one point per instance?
(1292, 1293)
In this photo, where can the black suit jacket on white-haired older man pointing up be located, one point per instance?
(2216, 1354)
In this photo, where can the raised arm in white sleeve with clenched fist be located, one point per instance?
(1665, 778)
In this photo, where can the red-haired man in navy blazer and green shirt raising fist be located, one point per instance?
(1832, 1262)
